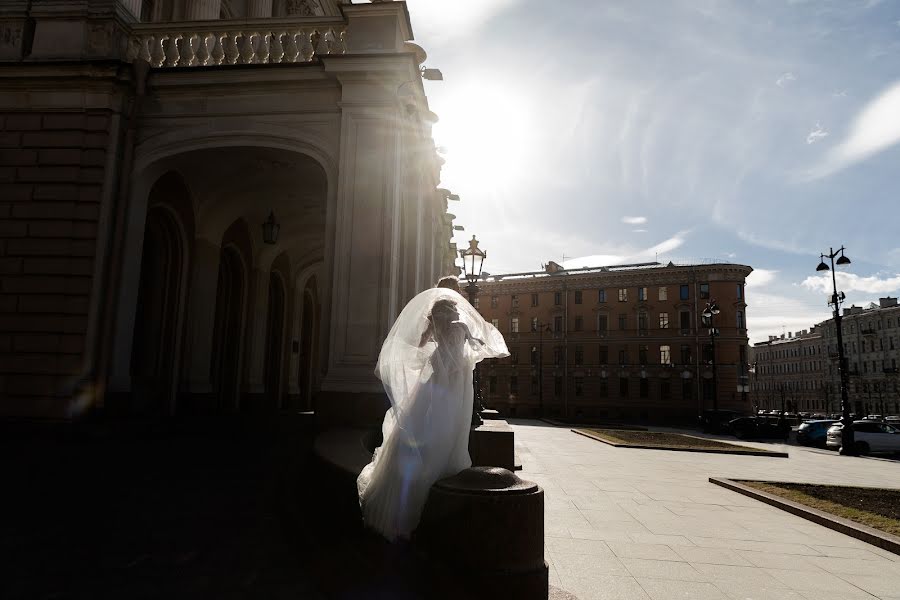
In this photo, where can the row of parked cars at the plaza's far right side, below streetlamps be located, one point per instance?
(872, 434)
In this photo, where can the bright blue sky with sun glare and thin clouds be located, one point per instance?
(597, 132)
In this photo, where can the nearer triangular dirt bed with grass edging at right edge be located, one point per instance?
(874, 507)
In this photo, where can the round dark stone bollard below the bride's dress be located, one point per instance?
(485, 526)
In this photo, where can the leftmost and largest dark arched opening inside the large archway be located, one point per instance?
(153, 352)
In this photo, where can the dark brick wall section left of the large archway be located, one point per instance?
(51, 177)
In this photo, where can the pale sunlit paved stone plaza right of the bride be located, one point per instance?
(646, 524)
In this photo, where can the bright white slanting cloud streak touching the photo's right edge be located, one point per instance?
(876, 128)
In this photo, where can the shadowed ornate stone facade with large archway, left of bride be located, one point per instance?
(143, 145)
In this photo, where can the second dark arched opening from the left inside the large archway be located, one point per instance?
(228, 329)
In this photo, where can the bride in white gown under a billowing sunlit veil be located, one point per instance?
(426, 366)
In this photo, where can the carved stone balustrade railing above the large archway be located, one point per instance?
(236, 42)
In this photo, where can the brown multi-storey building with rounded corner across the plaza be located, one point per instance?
(623, 342)
